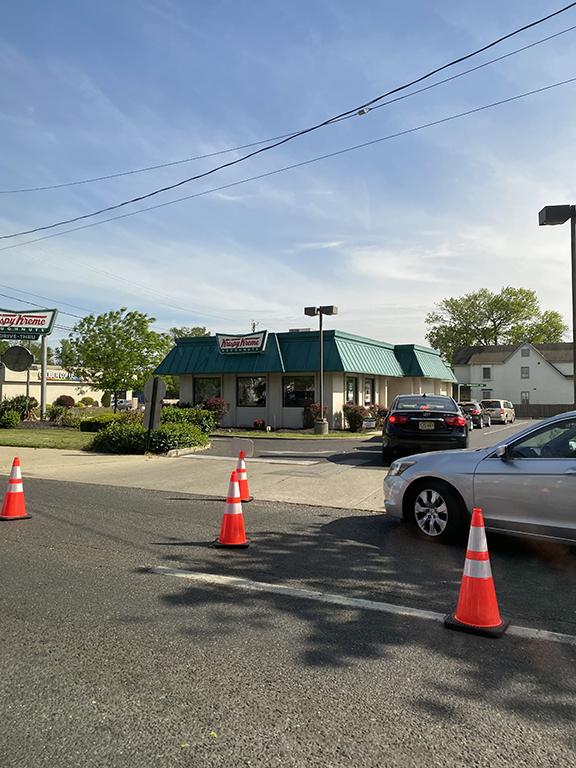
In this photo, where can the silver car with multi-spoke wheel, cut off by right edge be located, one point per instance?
(525, 484)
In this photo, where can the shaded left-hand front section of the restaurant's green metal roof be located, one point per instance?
(200, 355)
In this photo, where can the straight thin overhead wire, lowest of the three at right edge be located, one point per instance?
(291, 167)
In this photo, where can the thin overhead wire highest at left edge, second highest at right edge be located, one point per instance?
(134, 171)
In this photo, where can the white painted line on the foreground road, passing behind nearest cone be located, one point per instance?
(347, 602)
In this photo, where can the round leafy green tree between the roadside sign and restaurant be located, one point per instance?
(114, 351)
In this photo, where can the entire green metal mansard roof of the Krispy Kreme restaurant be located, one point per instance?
(298, 352)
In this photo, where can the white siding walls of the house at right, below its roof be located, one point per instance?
(546, 384)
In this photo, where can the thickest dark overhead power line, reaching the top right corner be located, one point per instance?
(362, 108)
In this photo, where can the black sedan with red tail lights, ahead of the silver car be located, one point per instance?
(423, 423)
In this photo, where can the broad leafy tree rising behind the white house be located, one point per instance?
(483, 318)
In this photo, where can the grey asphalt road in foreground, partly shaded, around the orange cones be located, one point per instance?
(104, 663)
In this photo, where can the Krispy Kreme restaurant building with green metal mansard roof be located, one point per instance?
(273, 376)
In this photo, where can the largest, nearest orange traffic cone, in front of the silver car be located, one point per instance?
(477, 609)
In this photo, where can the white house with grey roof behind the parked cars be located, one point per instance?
(527, 374)
